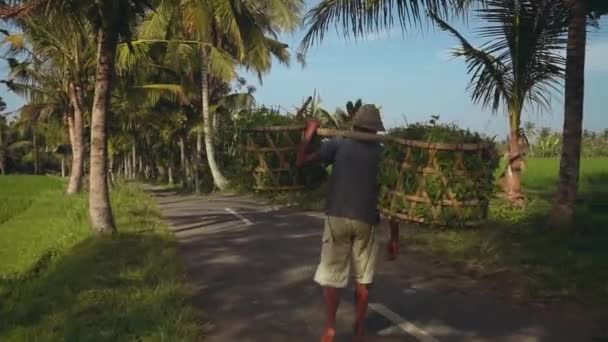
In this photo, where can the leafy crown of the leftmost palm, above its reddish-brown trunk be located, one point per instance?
(54, 52)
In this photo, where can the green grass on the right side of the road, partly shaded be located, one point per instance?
(571, 263)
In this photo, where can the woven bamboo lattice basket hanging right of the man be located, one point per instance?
(426, 192)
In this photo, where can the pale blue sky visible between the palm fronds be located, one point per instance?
(412, 77)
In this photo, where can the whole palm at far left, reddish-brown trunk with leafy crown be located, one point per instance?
(62, 47)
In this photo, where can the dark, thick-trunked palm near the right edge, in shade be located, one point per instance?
(573, 112)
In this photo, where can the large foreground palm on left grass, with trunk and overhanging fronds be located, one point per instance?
(111, 20)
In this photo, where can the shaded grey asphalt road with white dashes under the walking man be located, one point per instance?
(252, 267)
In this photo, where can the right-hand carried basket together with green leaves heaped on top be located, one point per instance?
(425, 184)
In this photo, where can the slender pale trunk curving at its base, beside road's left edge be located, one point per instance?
(219, 179)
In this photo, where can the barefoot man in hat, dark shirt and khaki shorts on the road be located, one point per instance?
(352, 215)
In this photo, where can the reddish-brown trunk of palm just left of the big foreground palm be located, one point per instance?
(76, 127)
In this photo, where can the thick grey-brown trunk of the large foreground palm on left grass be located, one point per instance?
(102, 220)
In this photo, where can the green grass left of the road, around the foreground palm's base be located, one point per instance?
(57, 282)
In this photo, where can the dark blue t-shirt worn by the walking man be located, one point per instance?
(353, 184)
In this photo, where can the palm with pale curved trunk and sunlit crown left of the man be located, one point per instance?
(248, 35)
